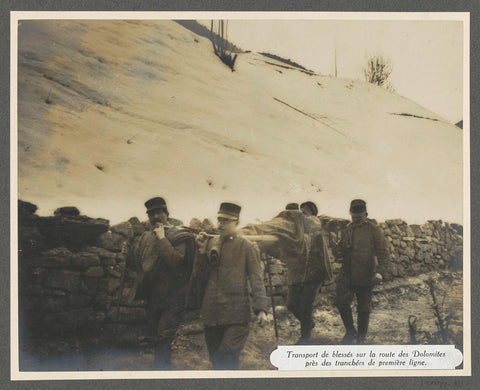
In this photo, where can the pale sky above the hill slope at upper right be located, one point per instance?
(427, 56)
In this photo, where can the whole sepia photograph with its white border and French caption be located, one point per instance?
(196, 192)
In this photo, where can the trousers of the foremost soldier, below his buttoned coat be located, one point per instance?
(224, 343)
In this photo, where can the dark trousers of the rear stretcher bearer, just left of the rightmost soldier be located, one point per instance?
(301, 297)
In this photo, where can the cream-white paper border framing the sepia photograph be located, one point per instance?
(16, 16)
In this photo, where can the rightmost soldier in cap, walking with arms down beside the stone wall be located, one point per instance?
(363, 252)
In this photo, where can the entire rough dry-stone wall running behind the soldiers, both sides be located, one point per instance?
(74, 279)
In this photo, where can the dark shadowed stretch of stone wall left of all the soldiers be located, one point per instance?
(73, 282)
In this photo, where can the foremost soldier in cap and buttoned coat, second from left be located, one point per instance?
(233, 263)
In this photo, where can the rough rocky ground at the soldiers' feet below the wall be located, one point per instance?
(393, 303)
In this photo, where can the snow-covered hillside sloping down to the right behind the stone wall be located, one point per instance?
(111, 113)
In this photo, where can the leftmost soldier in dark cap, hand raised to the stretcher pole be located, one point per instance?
(163, 256)
